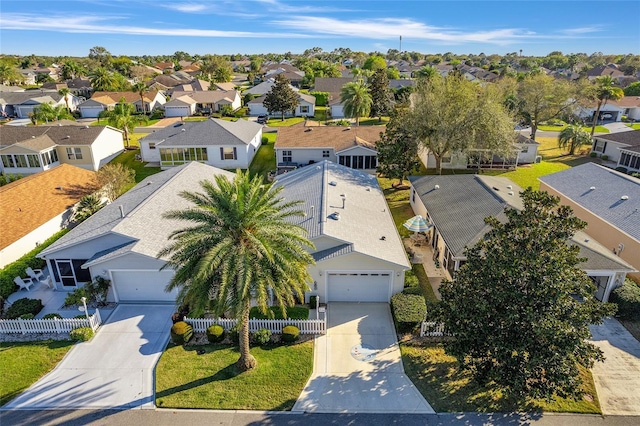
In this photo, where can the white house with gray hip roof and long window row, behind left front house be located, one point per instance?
(219, 143)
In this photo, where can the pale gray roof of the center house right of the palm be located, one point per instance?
(363, 222)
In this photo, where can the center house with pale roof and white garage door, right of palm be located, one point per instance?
(358, 253)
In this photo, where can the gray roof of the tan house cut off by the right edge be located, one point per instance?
(605, 200)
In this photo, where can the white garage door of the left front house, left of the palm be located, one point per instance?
(142, 286)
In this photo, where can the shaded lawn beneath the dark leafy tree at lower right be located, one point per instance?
(448, 388)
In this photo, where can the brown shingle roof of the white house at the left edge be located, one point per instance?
(61, 135)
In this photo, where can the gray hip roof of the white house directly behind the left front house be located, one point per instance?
(206, 133)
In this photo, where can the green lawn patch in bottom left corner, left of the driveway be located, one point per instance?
(24, 363)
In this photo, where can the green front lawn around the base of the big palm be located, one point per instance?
(185, 379)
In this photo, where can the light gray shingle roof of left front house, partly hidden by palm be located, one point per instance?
(142, 230)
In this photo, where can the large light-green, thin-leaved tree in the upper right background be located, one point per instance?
(455, 116)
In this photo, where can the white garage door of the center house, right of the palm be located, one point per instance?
(359, 287)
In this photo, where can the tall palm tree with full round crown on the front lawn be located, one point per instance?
(239, 245)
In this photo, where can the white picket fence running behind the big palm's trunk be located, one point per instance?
(318, 326)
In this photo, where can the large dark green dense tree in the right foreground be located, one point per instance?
(520, 307)
